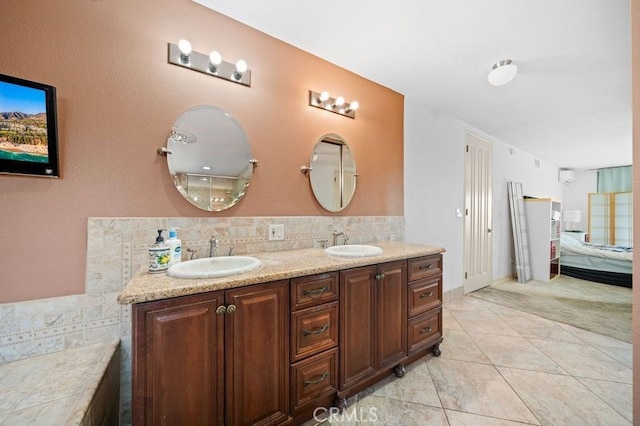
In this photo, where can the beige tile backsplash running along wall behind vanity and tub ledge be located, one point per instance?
(117, 247)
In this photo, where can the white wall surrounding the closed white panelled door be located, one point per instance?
(434, 187)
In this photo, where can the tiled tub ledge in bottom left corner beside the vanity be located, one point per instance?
(79, 386)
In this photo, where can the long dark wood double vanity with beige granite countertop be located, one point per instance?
(304, 330)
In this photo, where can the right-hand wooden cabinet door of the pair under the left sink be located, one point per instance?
(257, 363)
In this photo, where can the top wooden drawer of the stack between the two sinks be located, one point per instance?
(313, 290)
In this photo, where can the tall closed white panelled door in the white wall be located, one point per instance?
(478, 182)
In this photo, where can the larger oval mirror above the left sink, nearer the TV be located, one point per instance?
(209, 158)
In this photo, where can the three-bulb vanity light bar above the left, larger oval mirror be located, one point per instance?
(212, 64)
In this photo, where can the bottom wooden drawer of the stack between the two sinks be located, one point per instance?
(313, 378)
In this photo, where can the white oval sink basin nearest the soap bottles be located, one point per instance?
(212, 267)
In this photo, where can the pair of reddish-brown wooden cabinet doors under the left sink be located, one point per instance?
(213, 358)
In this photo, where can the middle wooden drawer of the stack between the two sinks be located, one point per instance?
(314, 330)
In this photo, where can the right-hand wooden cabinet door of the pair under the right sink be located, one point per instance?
(391, 313)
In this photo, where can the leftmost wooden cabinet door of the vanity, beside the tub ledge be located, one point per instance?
(178, 357)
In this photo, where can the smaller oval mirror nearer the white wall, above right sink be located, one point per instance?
(332, 172)
